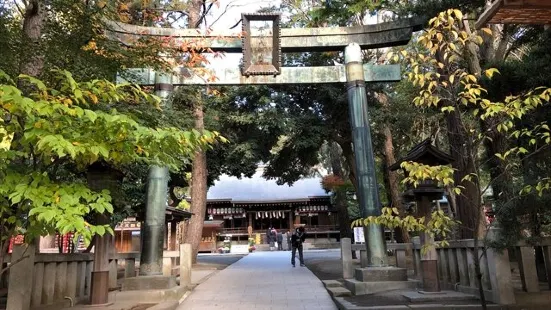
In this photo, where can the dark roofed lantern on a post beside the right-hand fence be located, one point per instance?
(423, 195)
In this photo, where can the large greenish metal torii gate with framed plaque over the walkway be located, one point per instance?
(350, 39)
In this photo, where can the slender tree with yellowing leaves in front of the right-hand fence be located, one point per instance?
(446, 84)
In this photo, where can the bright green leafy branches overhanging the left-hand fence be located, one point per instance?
(74, 124)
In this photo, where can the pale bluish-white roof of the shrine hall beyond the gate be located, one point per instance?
(257, 189)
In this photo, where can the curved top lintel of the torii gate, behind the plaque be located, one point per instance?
(324, 39)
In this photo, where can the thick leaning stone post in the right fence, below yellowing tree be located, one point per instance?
(499, 269)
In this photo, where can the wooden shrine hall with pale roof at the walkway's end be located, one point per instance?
(261, 204)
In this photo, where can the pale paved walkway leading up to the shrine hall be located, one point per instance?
(262, 280)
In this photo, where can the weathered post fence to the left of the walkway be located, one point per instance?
(54, 279)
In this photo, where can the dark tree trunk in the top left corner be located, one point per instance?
(32, 59)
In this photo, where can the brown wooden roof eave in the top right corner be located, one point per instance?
(534, 12)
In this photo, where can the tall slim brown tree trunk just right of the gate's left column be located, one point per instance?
(198, 206)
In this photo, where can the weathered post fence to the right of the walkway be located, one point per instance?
(456, 268)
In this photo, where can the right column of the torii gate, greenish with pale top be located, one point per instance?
(368, 191)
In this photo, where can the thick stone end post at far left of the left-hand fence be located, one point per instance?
(21, 280)
